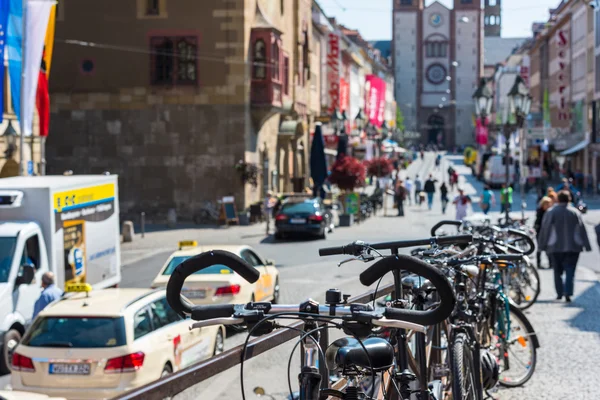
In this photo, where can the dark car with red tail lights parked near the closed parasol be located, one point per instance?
(304, 217)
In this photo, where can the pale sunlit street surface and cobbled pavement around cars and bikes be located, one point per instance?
(569, 334)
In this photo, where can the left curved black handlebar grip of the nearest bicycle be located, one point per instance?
(198, 263)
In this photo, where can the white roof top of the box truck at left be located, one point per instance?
(54, 181)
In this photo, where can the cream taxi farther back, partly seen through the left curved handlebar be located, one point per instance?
(219, 284)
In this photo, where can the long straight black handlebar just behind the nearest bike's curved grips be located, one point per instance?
(358, 247)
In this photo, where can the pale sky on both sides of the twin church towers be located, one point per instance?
(373, 18)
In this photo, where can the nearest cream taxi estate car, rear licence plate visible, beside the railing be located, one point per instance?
(99, 344)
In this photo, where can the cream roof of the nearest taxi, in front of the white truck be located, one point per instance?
(104, 302)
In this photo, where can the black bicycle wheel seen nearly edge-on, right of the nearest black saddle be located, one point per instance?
(462, 369)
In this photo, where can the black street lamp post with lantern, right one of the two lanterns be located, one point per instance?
(519, 103)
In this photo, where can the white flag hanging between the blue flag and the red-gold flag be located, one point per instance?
(36, 22)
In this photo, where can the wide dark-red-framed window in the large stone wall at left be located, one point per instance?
(174, 60)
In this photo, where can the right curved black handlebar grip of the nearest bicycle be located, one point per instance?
(416, 266)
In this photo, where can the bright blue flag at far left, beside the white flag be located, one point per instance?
(14, 44)
